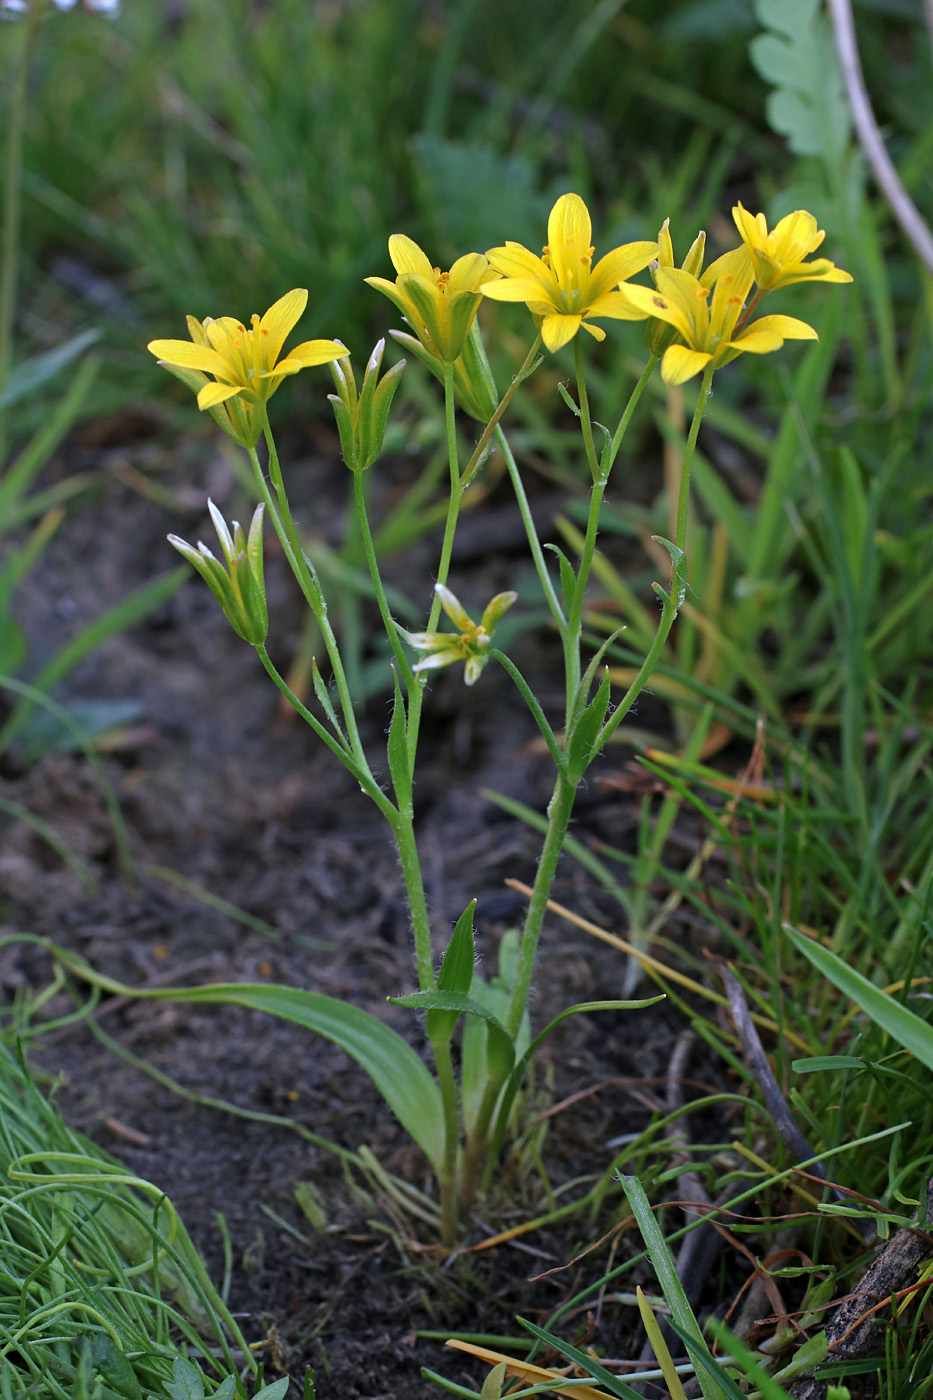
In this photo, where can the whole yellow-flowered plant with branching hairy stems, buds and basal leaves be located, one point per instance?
(697, 323)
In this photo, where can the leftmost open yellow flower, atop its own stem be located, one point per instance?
(244, 363)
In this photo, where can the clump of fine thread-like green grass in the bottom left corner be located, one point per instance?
(99, 1279)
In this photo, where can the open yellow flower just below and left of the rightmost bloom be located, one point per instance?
(705, 317)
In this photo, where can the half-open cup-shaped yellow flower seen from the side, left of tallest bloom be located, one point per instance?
(439, 306)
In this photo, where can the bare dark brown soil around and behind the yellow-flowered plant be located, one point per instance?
(219, 789)
